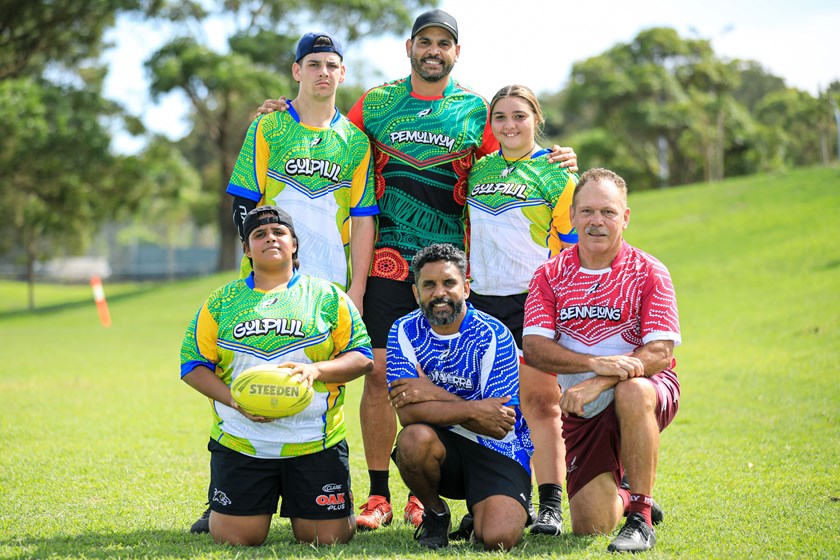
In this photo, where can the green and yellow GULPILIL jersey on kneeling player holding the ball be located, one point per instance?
(239, 327)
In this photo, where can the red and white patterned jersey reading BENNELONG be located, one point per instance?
(602, 312)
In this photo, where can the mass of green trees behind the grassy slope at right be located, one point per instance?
(666, 110)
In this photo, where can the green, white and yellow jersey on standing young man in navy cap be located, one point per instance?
(321, 176)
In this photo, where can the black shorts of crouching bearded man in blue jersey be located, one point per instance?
(473, 472)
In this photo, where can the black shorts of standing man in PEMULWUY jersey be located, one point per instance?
(385, 302)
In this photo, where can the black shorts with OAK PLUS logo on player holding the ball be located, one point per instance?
(314, 486)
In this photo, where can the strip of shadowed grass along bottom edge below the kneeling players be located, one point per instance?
(392, 542)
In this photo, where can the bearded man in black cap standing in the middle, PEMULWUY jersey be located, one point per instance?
(426, 131)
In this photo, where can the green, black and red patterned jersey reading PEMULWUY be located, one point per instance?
(424, 148)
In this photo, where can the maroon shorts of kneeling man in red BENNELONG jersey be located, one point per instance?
(593, 444)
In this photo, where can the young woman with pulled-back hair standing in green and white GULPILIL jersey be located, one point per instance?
(518, 216)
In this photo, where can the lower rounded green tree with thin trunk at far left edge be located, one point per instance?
(60, 178)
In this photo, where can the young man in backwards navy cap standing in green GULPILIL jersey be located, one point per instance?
(316, 165)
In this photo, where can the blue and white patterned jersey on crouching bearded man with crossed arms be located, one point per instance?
(478, 362)
